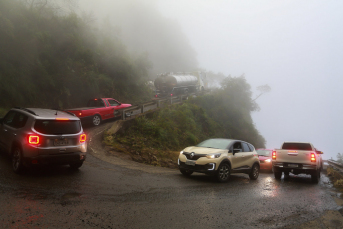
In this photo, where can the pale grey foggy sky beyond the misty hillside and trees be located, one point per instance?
(293, 46)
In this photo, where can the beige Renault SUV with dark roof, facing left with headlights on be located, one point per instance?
(220, 157)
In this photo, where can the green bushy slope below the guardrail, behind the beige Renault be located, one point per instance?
(225, 113)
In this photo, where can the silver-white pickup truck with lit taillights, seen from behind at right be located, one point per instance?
(297, 158)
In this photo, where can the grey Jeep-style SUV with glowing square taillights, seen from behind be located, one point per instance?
(35, 136)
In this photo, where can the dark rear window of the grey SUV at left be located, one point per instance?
(58, 126)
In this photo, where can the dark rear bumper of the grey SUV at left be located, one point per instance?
(55, 159)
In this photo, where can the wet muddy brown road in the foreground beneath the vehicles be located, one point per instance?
(109, 192)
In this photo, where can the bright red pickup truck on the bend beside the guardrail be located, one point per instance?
(99, 109)
